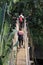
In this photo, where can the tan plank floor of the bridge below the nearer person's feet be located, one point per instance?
(21, 57)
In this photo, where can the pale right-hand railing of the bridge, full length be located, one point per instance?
(27, 48)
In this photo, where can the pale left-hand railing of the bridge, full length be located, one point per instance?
(13, 54)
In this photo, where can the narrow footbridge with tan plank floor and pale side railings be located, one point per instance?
(20, 56)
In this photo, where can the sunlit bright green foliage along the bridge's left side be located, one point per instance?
(6, 43)
